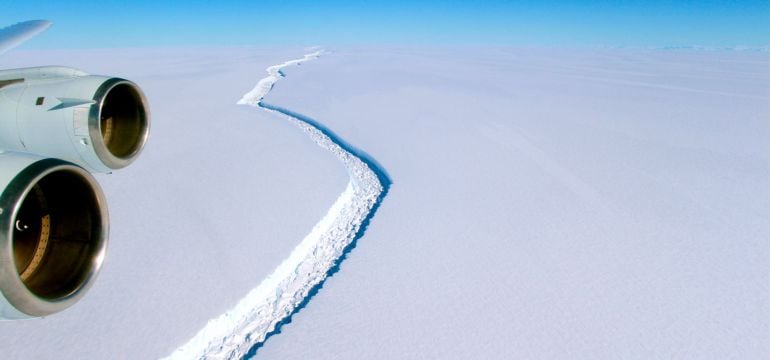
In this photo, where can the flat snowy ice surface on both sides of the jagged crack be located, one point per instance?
(545, 203)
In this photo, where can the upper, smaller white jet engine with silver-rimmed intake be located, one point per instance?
(98, 122)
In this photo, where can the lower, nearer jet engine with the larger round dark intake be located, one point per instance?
(53, 234)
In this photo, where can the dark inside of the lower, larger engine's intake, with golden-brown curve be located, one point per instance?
(57, 235)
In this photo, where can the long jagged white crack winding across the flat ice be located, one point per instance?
(235, 332)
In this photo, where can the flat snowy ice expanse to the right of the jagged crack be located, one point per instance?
(547, 204)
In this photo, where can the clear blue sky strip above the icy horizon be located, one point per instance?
(111, 23)
